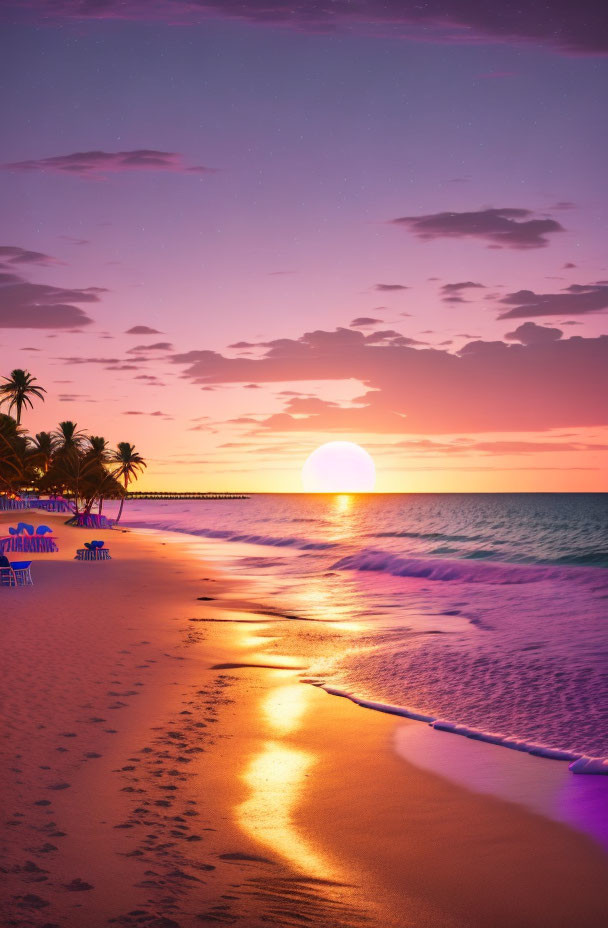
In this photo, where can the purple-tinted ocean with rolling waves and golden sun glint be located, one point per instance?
(488, 612)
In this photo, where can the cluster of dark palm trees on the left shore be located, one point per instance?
(66, 461)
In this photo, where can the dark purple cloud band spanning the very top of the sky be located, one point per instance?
(560, 24)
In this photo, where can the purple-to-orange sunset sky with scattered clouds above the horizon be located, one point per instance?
(234, 231)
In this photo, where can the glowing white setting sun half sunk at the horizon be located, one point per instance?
(339, 467)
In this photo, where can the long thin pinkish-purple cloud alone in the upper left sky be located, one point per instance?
(99, 163)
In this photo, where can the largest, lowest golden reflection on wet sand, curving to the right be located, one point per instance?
(276, 777)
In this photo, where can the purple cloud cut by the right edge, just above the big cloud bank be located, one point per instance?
(576, 300)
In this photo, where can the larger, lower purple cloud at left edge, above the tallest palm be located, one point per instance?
(24, 305)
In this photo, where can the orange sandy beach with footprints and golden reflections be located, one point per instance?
(162, 767)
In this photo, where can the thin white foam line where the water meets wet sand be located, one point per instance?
(577, 763)
